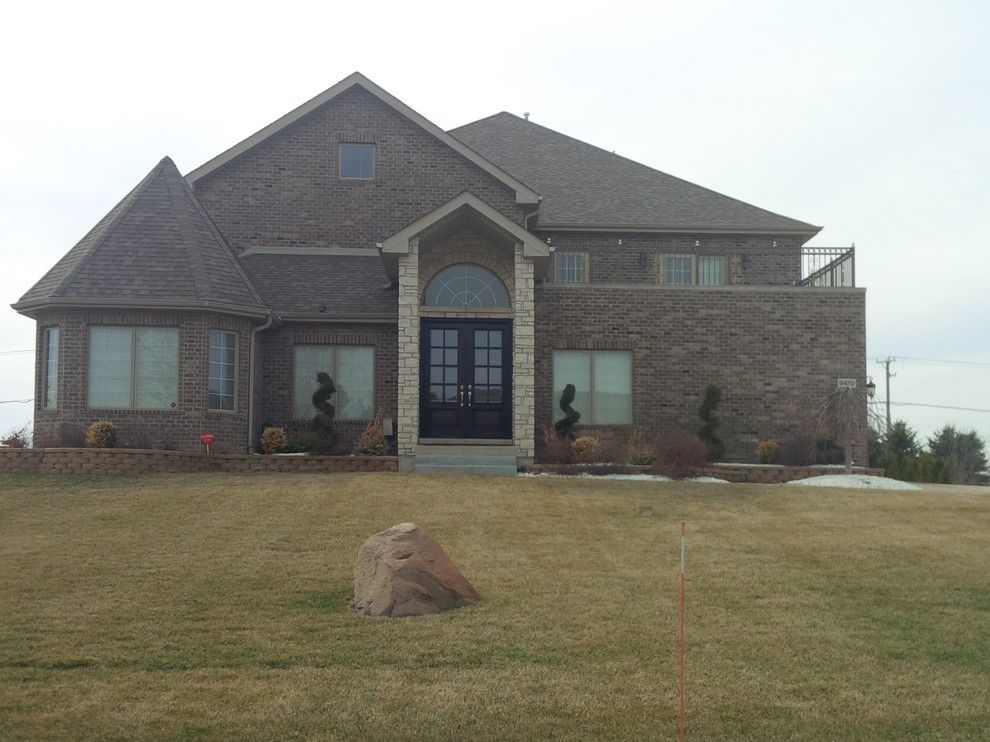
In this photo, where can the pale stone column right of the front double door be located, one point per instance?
(523, 358)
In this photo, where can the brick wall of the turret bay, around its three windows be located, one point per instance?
(172, 429)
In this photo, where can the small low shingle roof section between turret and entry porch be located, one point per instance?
(343, 285)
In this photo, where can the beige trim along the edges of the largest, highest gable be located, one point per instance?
(524, 194)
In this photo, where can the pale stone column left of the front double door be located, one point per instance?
(407, 433)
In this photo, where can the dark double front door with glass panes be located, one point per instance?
(466, 379)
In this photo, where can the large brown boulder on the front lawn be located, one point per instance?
(402, 571)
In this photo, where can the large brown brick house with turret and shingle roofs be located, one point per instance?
(455, 280)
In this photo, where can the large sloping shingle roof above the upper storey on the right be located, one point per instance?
(584, 185)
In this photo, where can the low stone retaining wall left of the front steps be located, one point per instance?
(141, 461)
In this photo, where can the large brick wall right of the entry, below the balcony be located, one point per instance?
(774, 352)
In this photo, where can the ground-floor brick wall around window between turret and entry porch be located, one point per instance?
(276, 360)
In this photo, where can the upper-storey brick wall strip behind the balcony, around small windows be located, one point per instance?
(749, 260)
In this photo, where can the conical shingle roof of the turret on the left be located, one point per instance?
(156, 246)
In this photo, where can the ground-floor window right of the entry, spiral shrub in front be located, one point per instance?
(602, 381)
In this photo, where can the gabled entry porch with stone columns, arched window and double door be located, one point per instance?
(465, 275)
